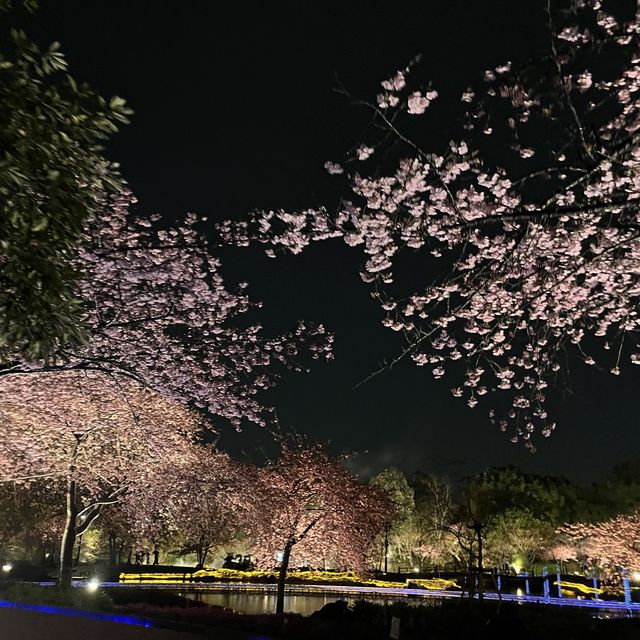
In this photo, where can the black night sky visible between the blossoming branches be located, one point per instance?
(235, 110)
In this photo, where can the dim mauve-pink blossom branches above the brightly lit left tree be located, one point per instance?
(158, 313)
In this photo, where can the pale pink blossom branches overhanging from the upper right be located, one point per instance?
(531, 210)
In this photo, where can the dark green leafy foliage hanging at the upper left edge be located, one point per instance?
(53, 177)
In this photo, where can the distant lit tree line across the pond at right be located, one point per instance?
(509, 520)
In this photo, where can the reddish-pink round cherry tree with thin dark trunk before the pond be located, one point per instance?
(306, 508)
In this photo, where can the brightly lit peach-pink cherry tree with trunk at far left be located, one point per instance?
(96, 435)
